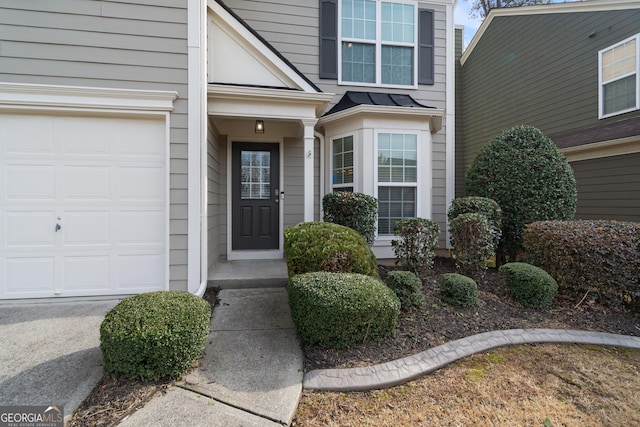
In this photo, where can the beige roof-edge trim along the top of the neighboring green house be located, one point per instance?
(546, 9)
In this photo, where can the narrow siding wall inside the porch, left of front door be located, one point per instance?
(216, 195)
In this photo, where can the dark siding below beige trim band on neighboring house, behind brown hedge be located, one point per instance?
(609, 188)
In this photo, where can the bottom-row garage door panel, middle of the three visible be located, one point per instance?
(87, 273)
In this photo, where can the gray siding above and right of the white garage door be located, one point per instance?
(139, 44)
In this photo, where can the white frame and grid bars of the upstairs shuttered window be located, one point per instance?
(378, 48)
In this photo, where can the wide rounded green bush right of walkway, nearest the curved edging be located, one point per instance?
(340, 310)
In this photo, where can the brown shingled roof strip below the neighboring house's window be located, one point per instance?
(604, 132)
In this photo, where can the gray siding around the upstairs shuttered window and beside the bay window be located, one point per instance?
(293, 30)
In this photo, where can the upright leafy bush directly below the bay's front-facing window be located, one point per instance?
(417, 246)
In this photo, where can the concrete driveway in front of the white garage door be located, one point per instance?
(49, 352)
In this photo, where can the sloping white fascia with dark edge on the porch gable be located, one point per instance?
(262, 45)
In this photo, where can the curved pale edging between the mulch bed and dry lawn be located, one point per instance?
(400, 371)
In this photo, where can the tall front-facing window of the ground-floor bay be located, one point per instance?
(397, 179)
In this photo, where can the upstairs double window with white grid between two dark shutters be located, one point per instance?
(378, 42)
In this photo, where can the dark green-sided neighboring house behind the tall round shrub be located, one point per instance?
(573, 71)
